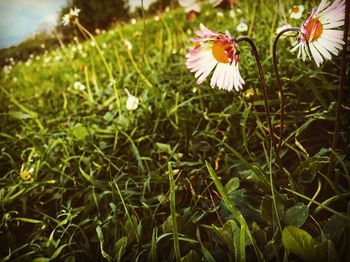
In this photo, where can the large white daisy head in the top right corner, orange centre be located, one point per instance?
(318, 34)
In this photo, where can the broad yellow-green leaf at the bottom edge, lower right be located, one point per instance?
(300, 243)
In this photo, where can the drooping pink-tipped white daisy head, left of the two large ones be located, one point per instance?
(215, 51)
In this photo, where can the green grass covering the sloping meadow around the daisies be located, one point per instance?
(187, 176)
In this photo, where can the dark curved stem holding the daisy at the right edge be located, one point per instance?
(278, 79)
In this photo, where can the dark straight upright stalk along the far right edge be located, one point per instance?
(342, 76)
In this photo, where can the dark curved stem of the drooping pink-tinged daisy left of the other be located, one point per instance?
(265, 93)
